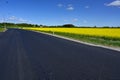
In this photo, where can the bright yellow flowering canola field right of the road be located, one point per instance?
(99, 32)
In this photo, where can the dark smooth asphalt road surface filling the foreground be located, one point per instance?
(26, 55)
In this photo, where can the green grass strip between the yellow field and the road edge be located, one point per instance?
(112, 42)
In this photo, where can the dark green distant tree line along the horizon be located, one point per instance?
(12, 25)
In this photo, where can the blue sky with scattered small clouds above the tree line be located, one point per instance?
(59, 12)
